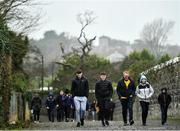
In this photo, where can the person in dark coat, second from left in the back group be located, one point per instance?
(50, 106)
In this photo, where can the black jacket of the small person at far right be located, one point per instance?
(164, 99)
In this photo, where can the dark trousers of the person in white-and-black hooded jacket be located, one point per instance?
(144, 108)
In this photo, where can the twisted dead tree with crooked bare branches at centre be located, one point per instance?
(85, 19)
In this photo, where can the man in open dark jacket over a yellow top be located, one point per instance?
(126, 92)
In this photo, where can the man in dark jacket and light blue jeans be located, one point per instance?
(79, 91)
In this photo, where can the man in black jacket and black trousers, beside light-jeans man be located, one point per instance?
(103, 92)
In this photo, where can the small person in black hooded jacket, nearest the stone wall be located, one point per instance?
(164, 99)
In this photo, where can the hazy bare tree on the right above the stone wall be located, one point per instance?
(155, 35)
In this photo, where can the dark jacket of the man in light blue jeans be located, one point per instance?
(80, 87)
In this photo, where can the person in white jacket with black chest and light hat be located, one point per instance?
(144, 91)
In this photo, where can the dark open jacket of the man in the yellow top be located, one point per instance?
(122, 91)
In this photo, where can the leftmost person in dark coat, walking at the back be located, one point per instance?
(36, 105)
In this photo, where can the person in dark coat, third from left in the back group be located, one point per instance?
(60, 106)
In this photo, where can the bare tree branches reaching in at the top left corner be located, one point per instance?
(17, 14)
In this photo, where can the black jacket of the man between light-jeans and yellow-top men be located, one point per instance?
(103, 90)
